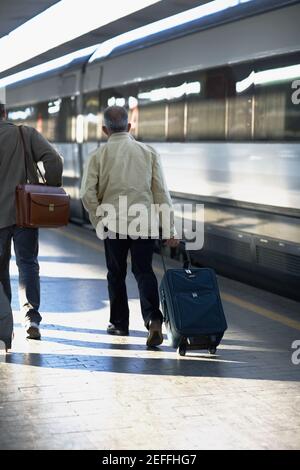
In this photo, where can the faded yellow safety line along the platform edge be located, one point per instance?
(227, 297)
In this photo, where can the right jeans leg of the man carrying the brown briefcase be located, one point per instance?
(26, 248)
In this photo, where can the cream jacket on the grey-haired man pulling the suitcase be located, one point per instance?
(127, 168)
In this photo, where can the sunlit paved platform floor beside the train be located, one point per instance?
(79, 388)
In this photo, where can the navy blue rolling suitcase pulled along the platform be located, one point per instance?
(192, 309)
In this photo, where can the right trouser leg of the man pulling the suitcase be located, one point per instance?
(141, 258)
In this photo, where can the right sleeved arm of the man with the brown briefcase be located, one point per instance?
(43, 152)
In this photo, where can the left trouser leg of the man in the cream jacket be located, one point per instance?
(116, 252)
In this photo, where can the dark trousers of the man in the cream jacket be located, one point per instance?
(141, 250)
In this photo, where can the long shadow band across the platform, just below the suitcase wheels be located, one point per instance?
(229, 364)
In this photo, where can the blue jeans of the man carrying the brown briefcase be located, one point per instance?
(26, 249)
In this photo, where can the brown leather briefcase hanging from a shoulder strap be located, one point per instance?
(39, 205)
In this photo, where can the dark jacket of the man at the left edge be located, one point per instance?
(12, 165)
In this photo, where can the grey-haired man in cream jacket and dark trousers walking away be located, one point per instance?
(129, 171)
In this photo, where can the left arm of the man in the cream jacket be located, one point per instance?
(89, 187)
